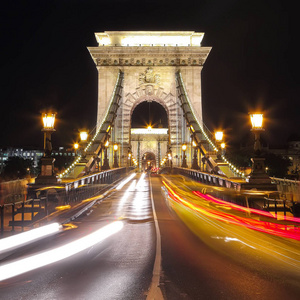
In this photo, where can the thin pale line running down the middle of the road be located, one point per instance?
(155, 291)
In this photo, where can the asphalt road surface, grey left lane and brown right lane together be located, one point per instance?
(121, 266)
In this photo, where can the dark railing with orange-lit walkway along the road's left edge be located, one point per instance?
(44, 201)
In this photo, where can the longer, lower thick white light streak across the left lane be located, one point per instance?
(54, 255)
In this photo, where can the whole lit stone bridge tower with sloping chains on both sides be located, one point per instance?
(161, 67)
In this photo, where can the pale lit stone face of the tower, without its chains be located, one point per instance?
(149, 61)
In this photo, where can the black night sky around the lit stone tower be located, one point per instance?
(45, 62)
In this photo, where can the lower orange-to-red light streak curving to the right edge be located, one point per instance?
(282, 230)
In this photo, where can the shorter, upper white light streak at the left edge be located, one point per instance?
(28, 236)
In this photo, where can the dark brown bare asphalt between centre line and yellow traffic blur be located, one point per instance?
(192, 270)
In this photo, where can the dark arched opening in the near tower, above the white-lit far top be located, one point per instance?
(149, 113)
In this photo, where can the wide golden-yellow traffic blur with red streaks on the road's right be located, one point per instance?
(253, 238)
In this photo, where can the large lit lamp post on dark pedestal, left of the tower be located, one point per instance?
(47, 168)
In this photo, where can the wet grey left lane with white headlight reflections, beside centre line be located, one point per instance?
(118, 268)
